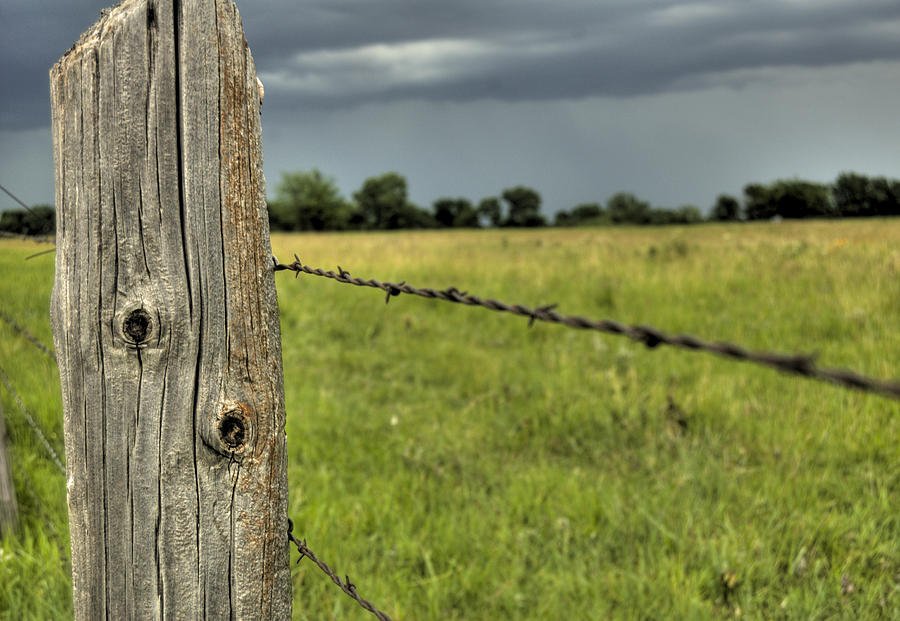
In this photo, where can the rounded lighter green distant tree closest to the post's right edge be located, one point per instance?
(309, 201)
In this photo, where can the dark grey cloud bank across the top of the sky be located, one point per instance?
(328, 53)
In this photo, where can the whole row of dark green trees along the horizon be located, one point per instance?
(311, 201)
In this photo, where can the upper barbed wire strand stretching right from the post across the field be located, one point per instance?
(798, 364)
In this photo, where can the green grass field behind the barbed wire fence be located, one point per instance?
(459, 465)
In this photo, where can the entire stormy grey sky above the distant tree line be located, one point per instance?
(675, 101)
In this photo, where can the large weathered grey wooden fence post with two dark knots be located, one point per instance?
(165, 320)
